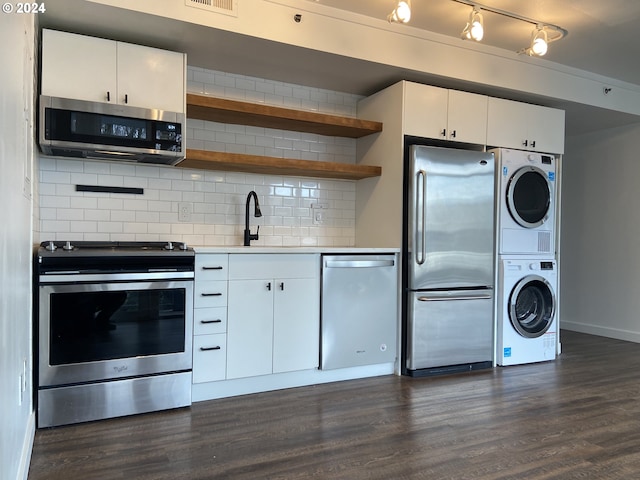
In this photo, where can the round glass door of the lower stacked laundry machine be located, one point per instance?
(531, 306)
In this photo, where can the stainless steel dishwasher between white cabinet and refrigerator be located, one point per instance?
(359, 310)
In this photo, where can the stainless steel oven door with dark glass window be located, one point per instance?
(102, 331)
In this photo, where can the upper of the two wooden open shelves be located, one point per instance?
(213, 109)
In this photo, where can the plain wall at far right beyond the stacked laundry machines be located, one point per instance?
(600, 259)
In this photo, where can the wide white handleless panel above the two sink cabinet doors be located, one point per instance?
(248, 266)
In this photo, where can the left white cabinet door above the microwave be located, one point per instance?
(77, 66)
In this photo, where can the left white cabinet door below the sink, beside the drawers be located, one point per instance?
(249, 328)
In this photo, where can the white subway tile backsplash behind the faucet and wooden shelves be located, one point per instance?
(217, 198)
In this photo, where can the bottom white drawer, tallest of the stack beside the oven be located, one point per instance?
(209, 358)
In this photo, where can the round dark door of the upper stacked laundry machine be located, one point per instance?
(529, 197)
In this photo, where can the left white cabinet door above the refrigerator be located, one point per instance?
(425, 111)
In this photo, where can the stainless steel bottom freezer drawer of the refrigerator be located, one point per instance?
(449, 328)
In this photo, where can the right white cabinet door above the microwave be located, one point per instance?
(151, 78)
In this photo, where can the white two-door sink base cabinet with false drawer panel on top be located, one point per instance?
(273, 314)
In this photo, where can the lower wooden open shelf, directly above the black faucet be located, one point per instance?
(236, 162)
